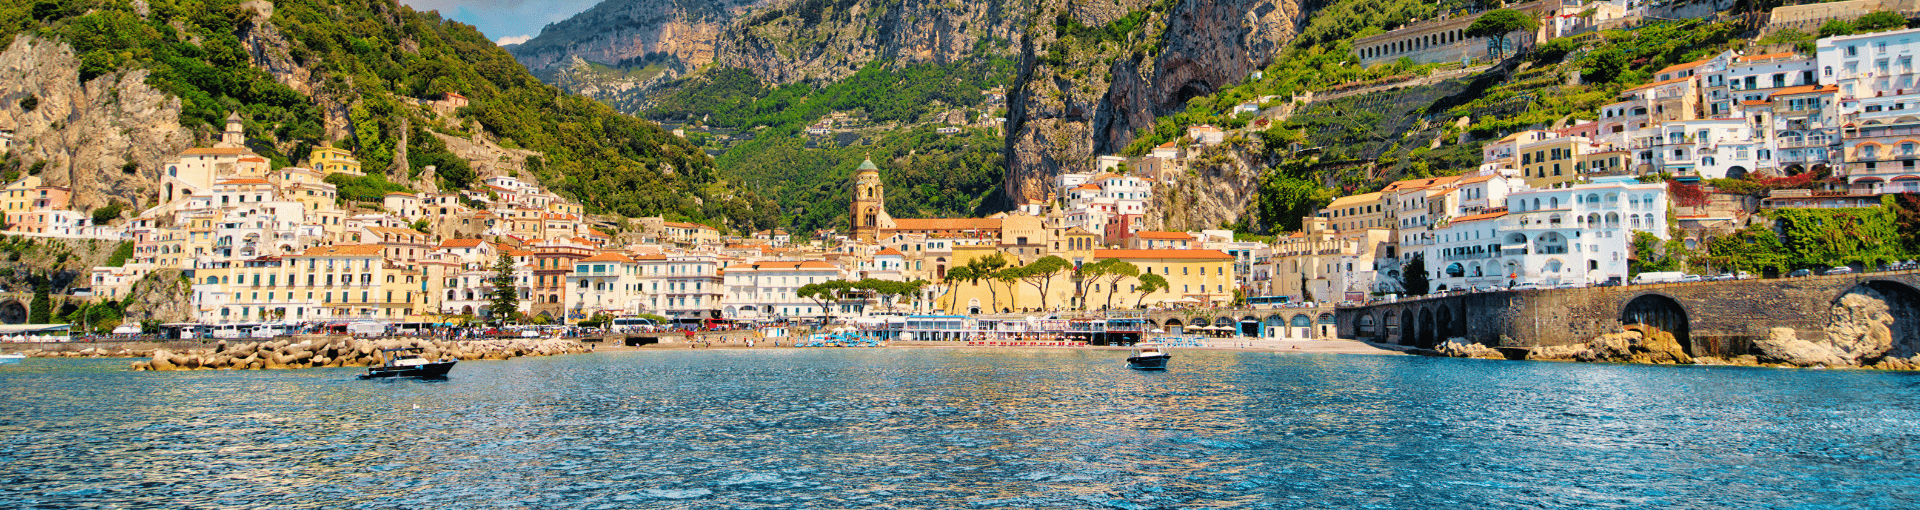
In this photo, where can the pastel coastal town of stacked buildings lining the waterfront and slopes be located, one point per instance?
(1545, 210)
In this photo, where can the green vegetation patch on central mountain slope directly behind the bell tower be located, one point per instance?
(926, 174)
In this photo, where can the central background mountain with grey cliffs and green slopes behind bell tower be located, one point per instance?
(1072, 80)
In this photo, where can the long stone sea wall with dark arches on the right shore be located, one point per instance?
(1710, 319)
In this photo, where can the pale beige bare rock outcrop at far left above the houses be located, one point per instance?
(91, 131)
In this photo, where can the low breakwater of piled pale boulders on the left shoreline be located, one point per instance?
(347, 352)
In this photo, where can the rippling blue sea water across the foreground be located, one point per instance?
(961, 429)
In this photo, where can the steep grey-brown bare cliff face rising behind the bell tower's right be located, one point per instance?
(1063, 112)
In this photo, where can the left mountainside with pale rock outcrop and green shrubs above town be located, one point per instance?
(105, 91)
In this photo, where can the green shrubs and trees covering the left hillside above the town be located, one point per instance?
(375, 57)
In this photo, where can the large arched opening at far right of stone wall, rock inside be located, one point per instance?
(1879, 310)
